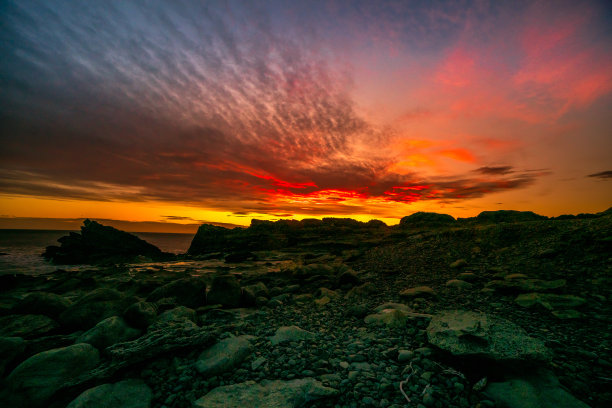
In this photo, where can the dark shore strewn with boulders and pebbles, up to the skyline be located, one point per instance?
(509, 311)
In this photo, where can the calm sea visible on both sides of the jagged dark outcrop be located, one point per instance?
(23, 248)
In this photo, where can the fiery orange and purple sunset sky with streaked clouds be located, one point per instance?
(223, 111)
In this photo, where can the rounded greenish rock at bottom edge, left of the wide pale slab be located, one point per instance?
(131, 393)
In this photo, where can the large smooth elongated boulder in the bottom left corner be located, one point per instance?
(35, 380)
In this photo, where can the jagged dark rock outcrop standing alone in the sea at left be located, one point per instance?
(100, 244)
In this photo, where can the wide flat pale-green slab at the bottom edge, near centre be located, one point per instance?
(277, 394)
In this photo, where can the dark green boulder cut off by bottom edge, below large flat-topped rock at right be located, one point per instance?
(537, 391)
